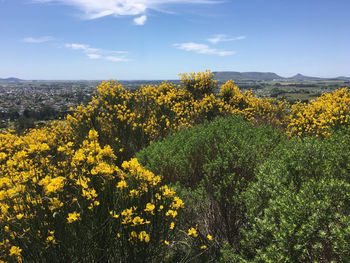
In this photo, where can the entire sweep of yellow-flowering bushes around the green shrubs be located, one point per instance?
(73, 190)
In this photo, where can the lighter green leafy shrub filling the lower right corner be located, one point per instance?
(299, 208)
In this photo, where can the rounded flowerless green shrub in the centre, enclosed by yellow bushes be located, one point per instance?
(214, 162)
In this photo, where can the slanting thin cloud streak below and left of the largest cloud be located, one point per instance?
(98, 53)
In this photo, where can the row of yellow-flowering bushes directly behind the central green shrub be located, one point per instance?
(129, 120)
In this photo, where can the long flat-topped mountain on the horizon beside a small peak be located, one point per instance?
(228, 75)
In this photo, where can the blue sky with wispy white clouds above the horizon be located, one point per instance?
(158, 39)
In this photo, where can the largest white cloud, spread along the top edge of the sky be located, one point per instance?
(93, 9)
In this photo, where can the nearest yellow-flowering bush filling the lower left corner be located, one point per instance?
(64, 202)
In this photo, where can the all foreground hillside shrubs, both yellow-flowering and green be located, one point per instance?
(172, 173)
